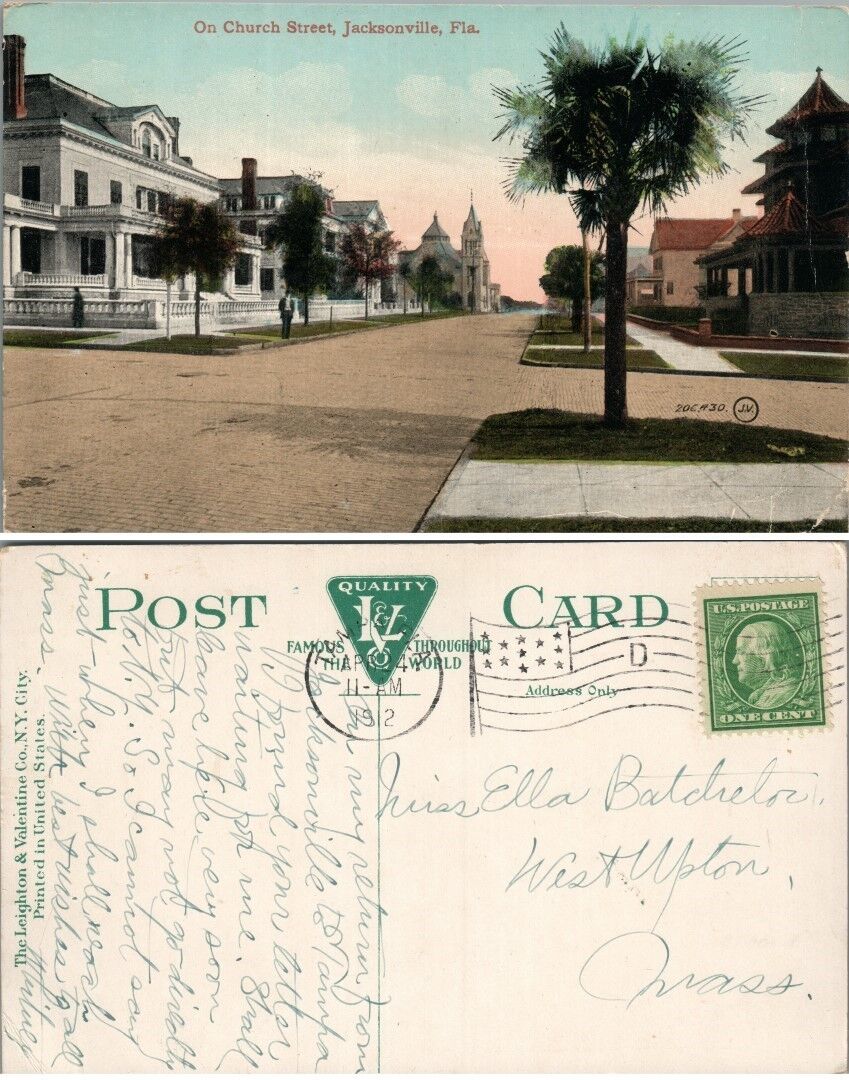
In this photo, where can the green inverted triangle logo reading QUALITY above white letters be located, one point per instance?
(381, 614)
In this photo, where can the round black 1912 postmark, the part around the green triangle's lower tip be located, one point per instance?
(359, 711)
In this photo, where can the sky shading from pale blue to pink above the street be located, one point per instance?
(409, 120)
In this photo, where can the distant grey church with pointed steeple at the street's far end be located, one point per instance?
(469, 265)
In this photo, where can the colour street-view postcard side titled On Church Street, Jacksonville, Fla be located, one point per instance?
(519, 265)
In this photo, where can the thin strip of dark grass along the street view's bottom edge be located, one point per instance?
(627, 525)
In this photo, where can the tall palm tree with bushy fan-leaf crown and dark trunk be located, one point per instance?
(624, 129)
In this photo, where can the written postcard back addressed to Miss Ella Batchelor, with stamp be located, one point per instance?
(424, 808)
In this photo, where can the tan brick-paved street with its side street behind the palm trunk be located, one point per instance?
(349, 435)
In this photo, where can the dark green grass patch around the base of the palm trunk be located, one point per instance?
(556, 436)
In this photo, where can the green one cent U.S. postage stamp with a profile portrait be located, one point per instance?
(764, 657)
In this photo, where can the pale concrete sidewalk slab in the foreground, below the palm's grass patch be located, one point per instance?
(765, 493)
